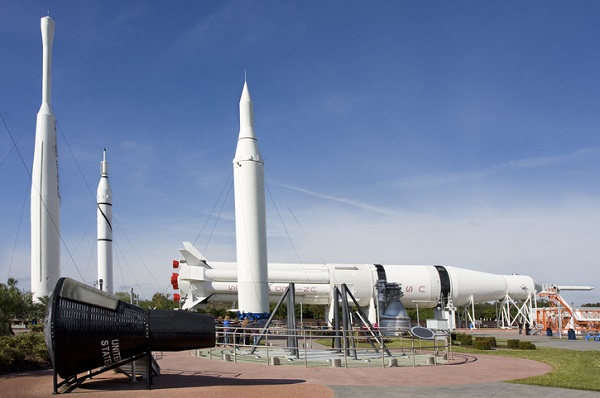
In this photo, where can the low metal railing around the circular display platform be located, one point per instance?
(327, 347)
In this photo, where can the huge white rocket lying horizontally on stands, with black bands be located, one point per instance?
(425, 286)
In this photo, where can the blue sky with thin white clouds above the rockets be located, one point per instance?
(461, 133)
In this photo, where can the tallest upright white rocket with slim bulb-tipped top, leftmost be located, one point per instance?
(45, 194)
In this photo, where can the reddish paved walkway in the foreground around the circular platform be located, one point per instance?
(181, 373)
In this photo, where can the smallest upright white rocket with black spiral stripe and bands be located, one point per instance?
(104, 231)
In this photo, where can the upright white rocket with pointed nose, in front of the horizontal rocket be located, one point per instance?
(250, 219)
